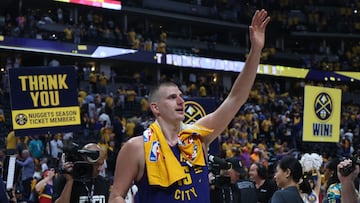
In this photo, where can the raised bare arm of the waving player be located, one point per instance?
(239, 93)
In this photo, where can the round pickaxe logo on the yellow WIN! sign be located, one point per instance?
(323, 106)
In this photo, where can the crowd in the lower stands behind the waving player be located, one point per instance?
(268, 127)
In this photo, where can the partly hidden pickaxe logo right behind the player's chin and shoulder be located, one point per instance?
(193, 112)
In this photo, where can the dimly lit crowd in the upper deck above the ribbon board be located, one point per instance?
(331, 52)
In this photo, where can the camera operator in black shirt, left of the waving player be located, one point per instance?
(68, 188)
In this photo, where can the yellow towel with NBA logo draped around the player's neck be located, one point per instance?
(163, 168)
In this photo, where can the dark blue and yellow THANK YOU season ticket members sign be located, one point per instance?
(44, 100)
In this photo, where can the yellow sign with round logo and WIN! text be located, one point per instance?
(322, 108)
